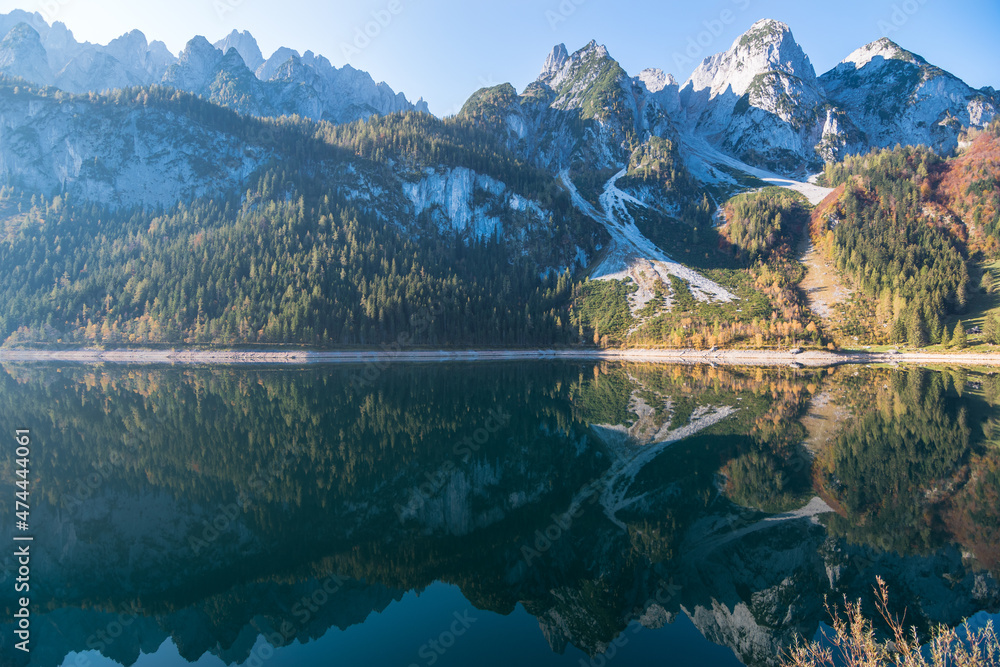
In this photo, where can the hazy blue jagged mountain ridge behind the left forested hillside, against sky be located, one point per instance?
(283, 84)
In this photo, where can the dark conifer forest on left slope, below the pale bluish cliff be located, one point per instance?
(285, 265)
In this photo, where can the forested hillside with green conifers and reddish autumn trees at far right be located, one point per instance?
(908, 228)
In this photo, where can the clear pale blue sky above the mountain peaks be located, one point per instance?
(444, 50)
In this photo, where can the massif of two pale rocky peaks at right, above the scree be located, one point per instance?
(762, 102)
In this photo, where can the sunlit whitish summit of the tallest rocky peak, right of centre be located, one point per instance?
(768, 46)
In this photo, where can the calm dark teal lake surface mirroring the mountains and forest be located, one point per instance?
(556, 513)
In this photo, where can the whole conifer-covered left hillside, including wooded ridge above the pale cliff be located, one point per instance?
(318, 246)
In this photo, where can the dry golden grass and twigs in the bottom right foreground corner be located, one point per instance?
(855, 643)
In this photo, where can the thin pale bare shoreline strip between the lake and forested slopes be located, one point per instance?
(808, 358)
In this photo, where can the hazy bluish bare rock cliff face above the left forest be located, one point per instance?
(119, 154)
